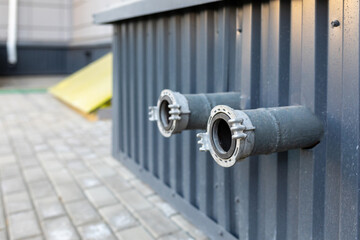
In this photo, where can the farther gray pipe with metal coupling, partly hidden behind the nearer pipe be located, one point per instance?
(176, 112)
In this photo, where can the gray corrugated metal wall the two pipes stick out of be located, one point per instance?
(275, 53)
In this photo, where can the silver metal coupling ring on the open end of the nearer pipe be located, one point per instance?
(229, 136)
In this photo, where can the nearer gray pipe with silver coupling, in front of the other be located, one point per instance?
(233, 135)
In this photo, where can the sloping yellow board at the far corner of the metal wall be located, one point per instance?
(88, 88)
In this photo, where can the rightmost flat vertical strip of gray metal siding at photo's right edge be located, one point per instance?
(349, 185)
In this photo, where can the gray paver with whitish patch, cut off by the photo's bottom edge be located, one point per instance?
(96, 231)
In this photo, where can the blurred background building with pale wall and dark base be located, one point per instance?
(54, 37)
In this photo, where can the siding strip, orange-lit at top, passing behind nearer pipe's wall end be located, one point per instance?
(307, 98)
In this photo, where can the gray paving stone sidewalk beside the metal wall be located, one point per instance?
(59, 181)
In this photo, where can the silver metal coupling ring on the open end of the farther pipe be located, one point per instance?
(171, 113)
